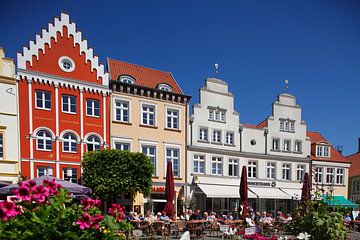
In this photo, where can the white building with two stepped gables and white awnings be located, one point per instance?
(276, 153)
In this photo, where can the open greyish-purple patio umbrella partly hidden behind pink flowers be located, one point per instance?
(69, 186)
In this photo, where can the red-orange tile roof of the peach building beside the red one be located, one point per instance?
(143, 76)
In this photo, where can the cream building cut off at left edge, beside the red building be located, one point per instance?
(9, 132)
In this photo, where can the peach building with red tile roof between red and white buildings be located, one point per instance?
(148, 114)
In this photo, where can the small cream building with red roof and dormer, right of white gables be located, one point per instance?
(330, 170)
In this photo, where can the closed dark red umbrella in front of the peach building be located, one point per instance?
(169, 191)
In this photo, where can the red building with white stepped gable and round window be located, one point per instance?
(63, 102)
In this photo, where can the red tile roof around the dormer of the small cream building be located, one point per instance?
(335, 156)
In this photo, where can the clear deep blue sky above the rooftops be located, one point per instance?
(258, 44)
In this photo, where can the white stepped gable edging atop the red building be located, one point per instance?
(47, 34)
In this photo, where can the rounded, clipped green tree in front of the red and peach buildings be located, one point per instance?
(111, 173)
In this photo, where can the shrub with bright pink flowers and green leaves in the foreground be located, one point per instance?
(46, 212)
